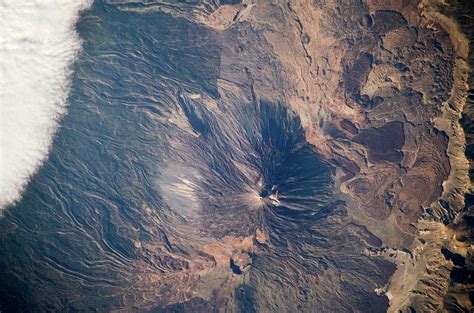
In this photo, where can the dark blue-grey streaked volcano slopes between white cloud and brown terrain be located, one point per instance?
(143, 176)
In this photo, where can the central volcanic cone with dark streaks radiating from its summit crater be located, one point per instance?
(254, 169)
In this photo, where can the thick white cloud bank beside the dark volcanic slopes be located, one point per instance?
(37, 47)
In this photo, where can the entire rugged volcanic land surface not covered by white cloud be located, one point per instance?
(294, 155)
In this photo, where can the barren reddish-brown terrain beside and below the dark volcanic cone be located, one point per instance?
(379, 87)
